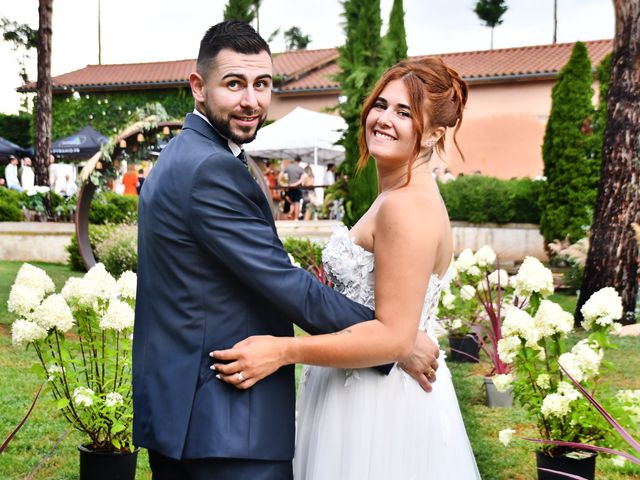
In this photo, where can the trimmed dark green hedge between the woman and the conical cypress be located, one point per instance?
(480, 199)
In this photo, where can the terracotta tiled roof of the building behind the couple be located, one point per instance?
(313, 69)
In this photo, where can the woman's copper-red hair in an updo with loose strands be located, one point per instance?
(437, 96)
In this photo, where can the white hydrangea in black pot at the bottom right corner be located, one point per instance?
(535, 343)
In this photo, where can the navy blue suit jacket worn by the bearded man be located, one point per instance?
(211, 272)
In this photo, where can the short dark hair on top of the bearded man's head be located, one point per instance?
(232, 34)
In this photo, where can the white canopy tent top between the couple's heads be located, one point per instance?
(311, 135)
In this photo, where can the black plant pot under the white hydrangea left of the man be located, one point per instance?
(96, 465)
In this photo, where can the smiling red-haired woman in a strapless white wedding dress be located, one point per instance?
(356, 423)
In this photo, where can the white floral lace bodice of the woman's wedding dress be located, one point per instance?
(351, 269)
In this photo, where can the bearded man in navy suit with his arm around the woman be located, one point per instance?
(211, 272)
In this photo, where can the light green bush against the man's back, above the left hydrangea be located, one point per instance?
(119, 250)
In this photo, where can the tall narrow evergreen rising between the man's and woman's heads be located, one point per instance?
(358, 62)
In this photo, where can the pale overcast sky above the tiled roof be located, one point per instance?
(156, 30)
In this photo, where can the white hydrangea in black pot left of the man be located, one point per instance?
(82, 340)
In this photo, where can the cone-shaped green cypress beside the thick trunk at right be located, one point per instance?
(570, 165)
